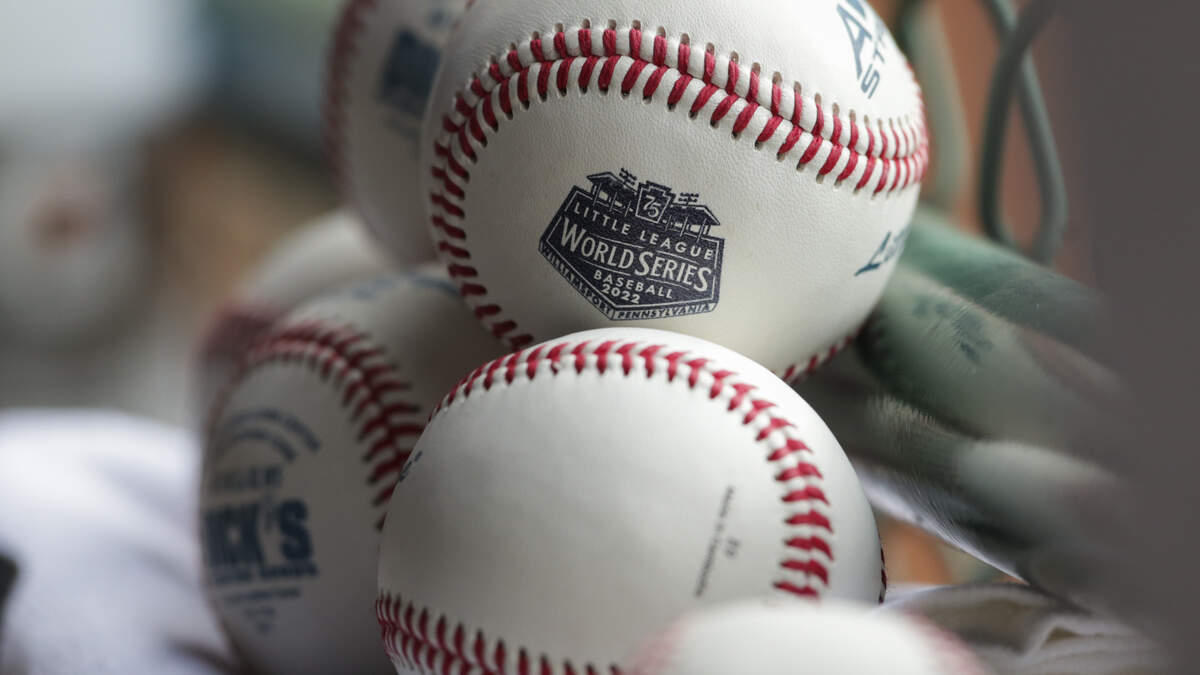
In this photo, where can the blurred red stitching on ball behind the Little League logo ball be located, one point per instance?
(343, 50)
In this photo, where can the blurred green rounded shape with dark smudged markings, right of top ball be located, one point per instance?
(979, 372)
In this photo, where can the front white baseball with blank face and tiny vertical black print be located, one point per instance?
(567, 500)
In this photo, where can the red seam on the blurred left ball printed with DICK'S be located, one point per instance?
(371, 391)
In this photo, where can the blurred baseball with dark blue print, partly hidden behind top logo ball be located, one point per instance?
(382, 61)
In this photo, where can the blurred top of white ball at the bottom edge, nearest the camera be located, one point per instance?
(777, 638)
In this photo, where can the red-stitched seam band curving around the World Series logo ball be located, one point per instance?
(891, 153)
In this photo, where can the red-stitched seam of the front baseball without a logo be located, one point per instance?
(807, 551)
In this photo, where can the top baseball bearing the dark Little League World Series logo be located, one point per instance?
(742, 172)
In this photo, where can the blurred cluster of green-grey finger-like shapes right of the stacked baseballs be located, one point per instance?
(970, 403)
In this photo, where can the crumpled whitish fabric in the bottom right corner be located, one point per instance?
(1021, 631)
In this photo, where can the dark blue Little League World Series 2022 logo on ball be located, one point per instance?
(637, 249)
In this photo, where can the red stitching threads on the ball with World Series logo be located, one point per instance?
(896, 160)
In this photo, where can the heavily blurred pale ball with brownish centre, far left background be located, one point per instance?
(75, 253)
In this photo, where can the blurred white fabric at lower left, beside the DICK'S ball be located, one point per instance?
(98, 511)
